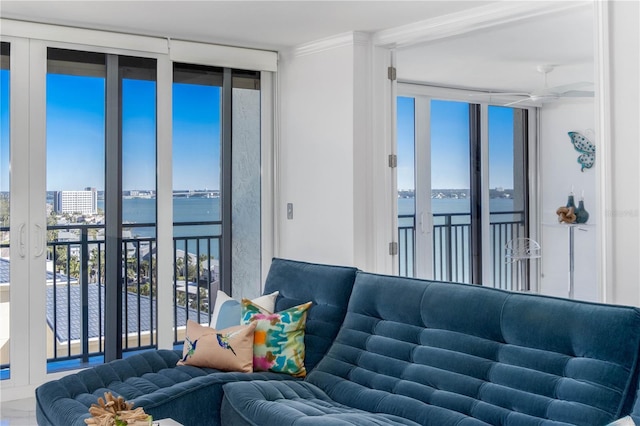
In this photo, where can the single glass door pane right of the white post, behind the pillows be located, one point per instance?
(197, 206)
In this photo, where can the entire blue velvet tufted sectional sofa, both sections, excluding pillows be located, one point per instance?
(395, 351)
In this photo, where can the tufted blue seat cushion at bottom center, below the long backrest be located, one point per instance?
(279, 404)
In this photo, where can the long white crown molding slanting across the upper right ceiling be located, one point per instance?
(470, 20)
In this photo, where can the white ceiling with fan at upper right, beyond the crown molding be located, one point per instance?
(505, 58)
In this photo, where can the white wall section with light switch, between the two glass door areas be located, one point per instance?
(316, 154)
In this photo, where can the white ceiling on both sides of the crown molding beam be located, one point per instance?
(501, 58)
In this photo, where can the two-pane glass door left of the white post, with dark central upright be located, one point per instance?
(101, 210)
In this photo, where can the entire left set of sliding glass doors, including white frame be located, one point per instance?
(99, 146)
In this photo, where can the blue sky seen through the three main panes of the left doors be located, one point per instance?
(75, 134)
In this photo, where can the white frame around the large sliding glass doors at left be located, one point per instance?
(28, 177)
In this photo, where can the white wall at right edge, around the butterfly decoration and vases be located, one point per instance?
(621, 179)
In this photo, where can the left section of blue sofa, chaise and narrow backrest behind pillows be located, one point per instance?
(192, 395)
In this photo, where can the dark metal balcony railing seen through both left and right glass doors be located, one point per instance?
(76, 288)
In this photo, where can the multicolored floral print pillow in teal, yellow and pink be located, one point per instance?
(278, 340)
